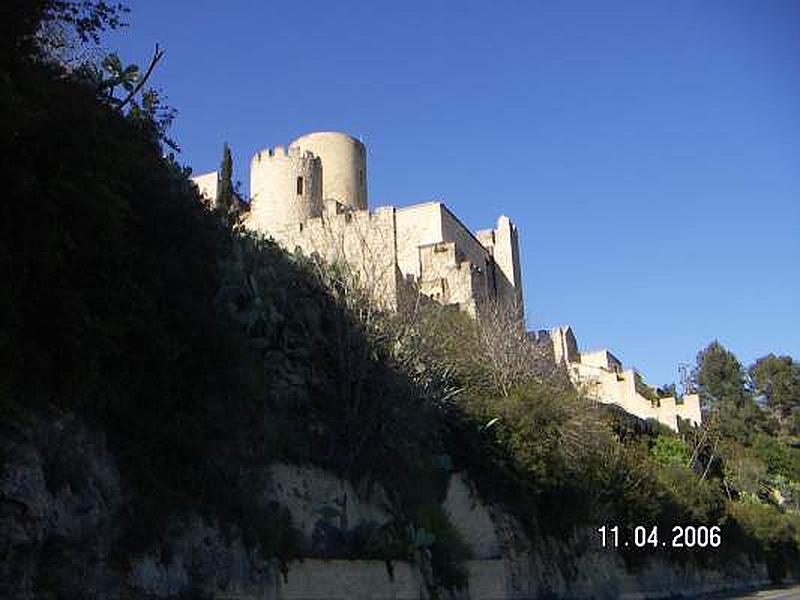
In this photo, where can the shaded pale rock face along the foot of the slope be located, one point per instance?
(63, 511)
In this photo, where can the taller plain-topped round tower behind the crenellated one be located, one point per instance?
(344, 166)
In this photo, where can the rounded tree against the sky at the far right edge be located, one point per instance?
(777, 379)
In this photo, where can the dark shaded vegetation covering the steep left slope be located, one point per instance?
(204, 354)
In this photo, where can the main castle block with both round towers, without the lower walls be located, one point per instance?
(313, 196)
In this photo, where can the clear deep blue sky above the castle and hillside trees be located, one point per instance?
(649, 151)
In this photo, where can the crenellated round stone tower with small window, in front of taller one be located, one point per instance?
(286, 189)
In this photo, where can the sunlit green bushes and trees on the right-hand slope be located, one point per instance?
(533, 443)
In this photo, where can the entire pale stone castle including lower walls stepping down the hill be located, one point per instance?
(312, 196)
